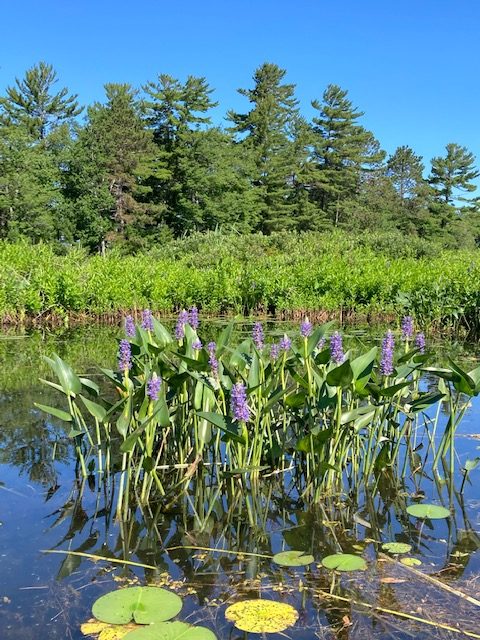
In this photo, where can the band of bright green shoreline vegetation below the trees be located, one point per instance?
(373, 278)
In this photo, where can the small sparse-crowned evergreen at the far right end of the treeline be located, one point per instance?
(453, 173)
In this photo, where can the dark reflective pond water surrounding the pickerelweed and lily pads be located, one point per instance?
(45, 506)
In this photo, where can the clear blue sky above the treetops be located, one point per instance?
(411, 65)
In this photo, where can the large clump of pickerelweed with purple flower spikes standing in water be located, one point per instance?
(323, 418)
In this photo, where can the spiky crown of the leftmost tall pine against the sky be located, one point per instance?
(32, 103)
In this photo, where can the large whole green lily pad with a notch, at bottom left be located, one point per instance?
(144, 605)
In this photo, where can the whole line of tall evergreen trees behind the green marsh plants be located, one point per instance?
(148, 164)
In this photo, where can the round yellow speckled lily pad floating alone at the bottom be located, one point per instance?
(261, 616)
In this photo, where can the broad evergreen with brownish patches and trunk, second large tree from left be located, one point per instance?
(112, 161)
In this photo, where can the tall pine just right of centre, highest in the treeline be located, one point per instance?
(266, 131)
